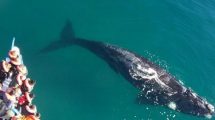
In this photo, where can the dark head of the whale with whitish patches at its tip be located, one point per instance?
(189, 102)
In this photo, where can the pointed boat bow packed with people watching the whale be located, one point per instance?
(15, 88)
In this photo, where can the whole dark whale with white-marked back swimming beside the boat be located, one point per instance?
(157, 86)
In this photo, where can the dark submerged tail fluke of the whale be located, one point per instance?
(66, 38)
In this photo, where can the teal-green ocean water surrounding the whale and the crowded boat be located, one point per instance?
(74, 84)
